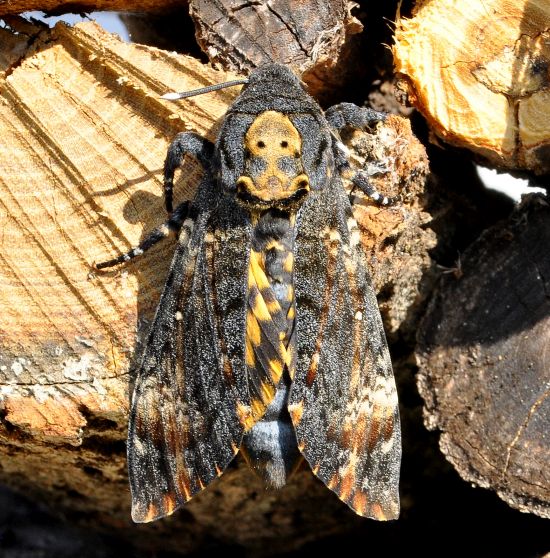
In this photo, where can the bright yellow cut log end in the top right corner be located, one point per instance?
(479, 73)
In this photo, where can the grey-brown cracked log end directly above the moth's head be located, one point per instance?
(312, 37)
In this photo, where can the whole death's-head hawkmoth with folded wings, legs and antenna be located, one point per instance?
(267, 339)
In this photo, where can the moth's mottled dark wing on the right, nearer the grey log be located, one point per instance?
(343, 401)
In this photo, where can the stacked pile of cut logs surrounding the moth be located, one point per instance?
(463, 277)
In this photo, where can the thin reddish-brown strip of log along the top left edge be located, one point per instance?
(11, 7)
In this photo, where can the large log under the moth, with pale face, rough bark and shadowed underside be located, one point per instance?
(84, 138)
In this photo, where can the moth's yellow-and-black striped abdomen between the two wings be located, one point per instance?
(270, 443)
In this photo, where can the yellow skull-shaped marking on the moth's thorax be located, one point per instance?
(273, 174)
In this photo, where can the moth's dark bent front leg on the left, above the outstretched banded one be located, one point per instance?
(185, 142)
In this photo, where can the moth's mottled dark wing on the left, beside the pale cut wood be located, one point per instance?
(191, 400)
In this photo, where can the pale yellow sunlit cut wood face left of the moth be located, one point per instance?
(84, 136)
